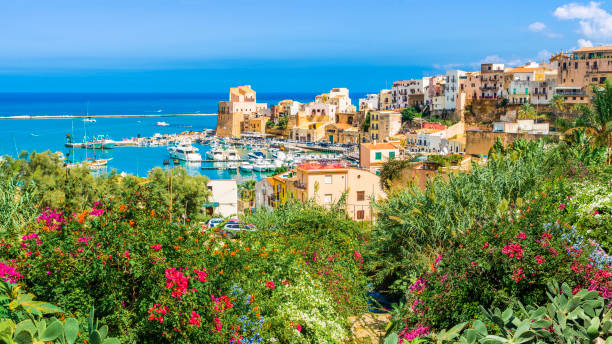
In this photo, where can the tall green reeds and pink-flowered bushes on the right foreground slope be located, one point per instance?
(494, 237)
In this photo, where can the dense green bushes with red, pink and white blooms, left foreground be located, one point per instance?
(296, 279)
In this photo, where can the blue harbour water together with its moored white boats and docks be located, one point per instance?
(136, 144)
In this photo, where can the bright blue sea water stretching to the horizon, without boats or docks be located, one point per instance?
(40, 135)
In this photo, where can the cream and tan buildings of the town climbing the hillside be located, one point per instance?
(439, 123)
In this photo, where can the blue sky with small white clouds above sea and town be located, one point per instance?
(200, 46)
